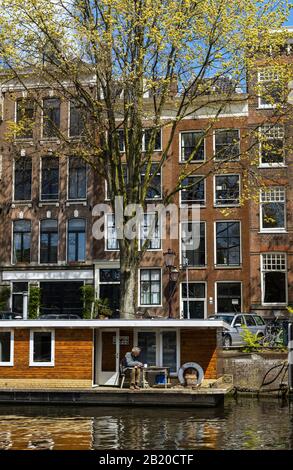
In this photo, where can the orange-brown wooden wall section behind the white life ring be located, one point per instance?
(200, 346)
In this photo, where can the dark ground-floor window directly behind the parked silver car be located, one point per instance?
(228, 297)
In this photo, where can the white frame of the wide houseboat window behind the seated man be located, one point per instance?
(159, 345)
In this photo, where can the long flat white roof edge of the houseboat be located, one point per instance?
(113, 323)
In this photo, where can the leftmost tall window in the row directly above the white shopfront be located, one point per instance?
(21, 241)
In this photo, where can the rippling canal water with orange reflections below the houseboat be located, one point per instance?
(242, 424)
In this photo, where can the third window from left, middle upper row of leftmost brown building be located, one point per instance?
(77, 178)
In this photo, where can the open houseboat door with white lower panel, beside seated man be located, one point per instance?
(108, 363)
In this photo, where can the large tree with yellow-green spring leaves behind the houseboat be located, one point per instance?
(135, 64)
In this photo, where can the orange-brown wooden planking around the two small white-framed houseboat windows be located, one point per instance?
(73, 356)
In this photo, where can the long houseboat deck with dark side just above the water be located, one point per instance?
(112, 396)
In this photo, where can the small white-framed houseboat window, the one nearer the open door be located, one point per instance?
(42, 348)
